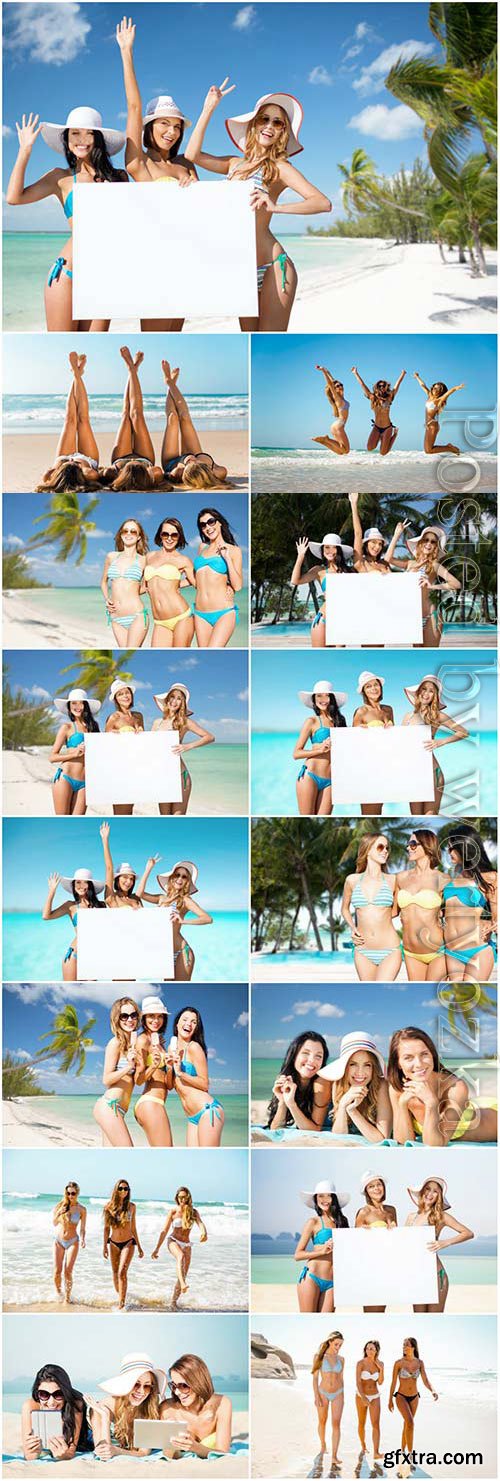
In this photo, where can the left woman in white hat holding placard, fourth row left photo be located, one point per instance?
(69, 749)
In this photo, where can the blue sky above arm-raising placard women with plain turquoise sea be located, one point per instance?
(33, 849)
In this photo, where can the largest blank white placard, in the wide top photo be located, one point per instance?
(162, 253)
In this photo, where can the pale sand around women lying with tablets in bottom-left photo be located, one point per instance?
(227, 1468)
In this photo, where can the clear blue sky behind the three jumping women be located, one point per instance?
(286, 364)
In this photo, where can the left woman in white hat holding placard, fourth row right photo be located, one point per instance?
(314, 781)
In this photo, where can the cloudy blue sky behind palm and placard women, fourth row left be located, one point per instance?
(220, 694)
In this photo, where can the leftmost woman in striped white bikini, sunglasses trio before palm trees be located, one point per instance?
(368, 909)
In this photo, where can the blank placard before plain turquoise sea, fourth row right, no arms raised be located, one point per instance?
(382, 766)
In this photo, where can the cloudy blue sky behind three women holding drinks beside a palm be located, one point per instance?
(29, 1011)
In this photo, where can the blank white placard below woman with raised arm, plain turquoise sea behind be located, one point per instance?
(125, 944)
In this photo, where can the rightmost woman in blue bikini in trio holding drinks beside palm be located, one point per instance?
(189, 1057)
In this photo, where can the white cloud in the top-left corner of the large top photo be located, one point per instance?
(47, 33)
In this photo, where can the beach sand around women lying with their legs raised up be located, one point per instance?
(26, 460)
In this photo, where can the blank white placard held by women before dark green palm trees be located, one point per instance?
(374, 609)
